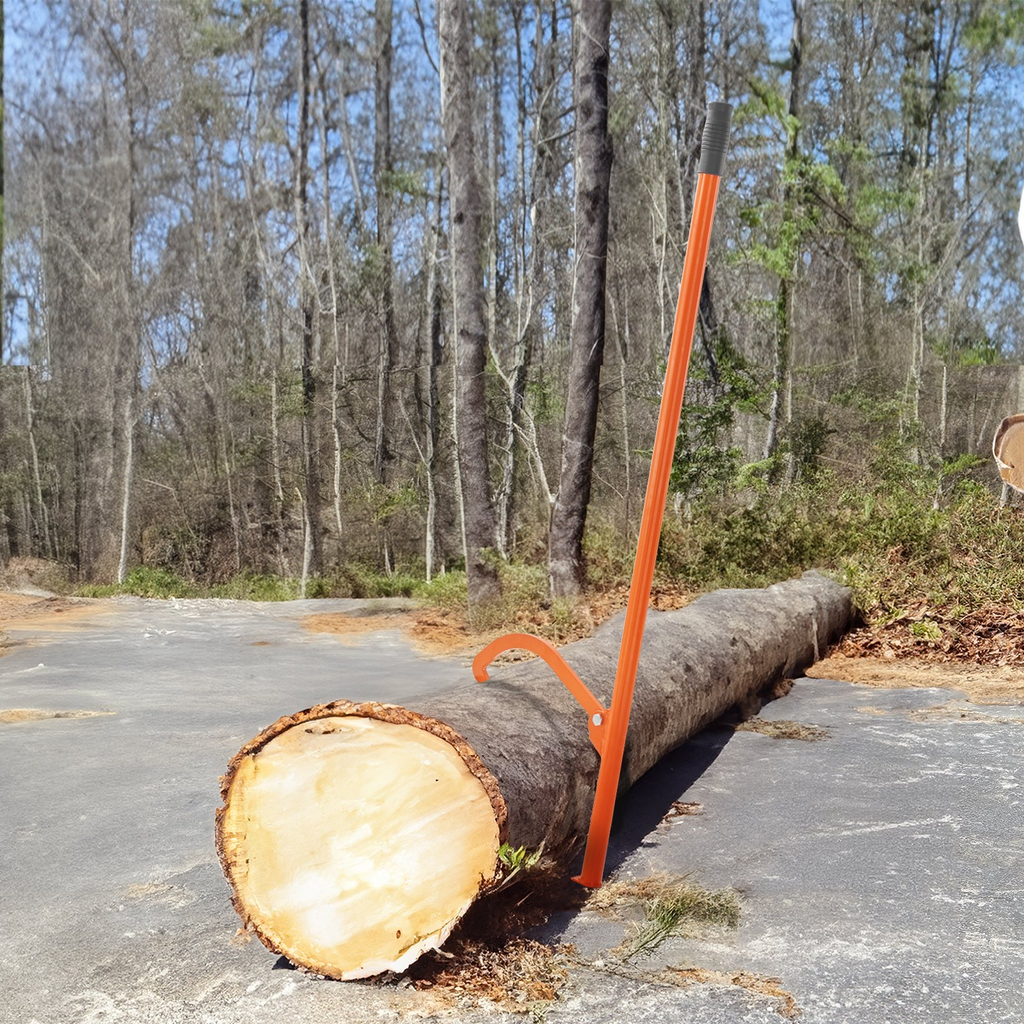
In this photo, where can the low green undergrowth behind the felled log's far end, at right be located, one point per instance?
(891, 537)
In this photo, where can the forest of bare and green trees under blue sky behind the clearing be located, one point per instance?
(329, 298)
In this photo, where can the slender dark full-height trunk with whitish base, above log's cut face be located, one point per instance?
(311, 454)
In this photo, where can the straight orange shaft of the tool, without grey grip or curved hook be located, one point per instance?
(651, 530)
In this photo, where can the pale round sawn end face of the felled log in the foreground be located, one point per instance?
(355, 844)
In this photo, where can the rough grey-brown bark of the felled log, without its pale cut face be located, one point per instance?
(525, 738)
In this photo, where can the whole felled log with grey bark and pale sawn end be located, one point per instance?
(355, 836)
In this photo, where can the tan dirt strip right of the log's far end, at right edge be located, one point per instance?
(984, 685)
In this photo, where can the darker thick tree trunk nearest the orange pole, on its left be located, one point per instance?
(593, 173)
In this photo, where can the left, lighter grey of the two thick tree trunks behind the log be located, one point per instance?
(467, 255)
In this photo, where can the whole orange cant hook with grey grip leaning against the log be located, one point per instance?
(609, 727)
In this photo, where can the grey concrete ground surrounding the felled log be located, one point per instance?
(881, 869)
